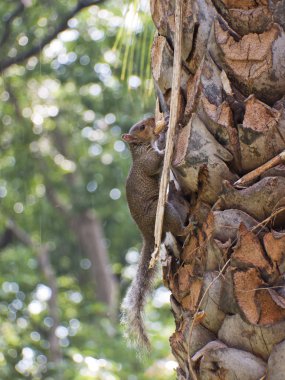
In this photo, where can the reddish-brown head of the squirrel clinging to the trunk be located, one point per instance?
(141, 133)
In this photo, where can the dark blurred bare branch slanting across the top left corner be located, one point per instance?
(46, 40)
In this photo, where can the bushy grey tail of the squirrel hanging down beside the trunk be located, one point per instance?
(133, 304)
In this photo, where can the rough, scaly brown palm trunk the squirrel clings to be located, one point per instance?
(227, 285)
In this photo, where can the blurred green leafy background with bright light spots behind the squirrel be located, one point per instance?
(74, 76)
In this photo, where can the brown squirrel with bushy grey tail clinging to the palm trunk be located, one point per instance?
(142, 189)
